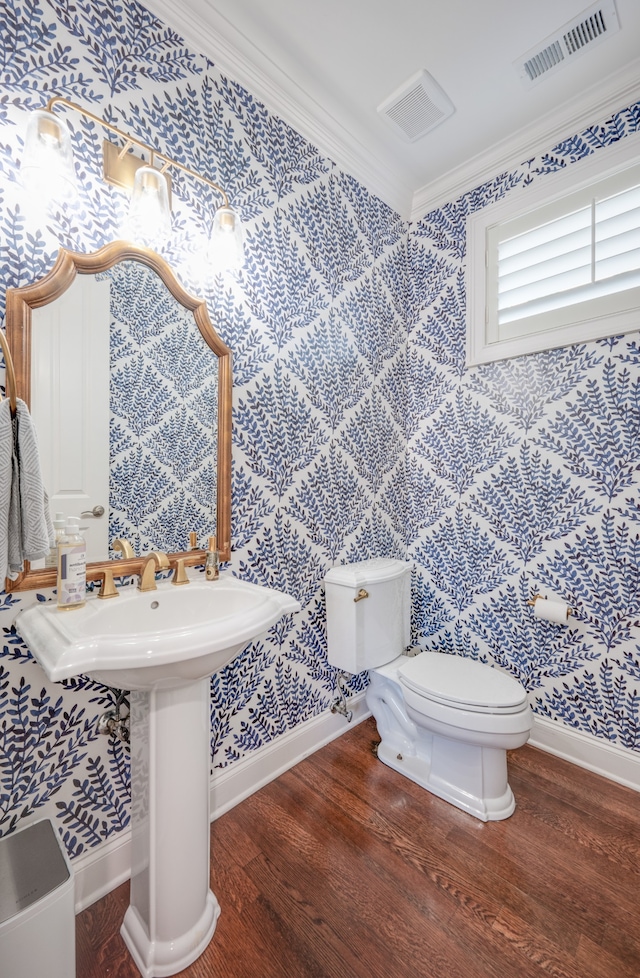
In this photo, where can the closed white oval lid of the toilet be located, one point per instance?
(462, 683)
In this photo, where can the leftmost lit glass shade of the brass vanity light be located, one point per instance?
(47, 171)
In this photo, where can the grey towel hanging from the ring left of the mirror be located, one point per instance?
(26, 531)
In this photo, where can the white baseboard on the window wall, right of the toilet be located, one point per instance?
(609, 760)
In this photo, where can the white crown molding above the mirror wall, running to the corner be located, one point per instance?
(236, 56)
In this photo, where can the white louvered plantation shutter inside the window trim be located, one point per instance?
(575, 259)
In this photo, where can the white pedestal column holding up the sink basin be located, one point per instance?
(172, 913)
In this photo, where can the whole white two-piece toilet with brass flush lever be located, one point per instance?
(446, 722)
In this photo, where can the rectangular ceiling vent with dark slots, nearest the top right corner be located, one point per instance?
(592, 26)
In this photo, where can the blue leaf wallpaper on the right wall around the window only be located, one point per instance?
(524, 480)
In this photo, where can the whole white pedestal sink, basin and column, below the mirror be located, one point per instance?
(162, 645)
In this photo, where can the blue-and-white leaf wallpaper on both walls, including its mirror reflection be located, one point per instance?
(357, 429)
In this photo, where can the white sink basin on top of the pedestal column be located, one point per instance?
(156, 639)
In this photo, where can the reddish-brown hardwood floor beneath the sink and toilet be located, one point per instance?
(344, 868)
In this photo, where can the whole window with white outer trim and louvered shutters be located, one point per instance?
(558, 266)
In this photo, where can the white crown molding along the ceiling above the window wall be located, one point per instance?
(596, 103)
